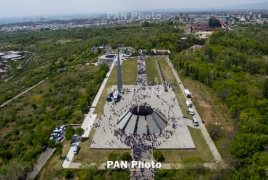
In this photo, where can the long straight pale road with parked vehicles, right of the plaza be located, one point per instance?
(211, 145)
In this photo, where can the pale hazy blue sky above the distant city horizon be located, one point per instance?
(24, 8)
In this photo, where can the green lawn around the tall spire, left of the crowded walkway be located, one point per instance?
(129, 72)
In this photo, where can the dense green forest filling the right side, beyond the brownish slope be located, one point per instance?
(235, 65)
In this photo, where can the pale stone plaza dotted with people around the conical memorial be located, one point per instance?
(175, 134)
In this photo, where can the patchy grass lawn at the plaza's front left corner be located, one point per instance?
(87, 155)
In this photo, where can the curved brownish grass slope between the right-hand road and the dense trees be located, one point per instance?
(212, 109)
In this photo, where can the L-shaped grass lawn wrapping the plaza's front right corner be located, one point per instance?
(202, 153)
